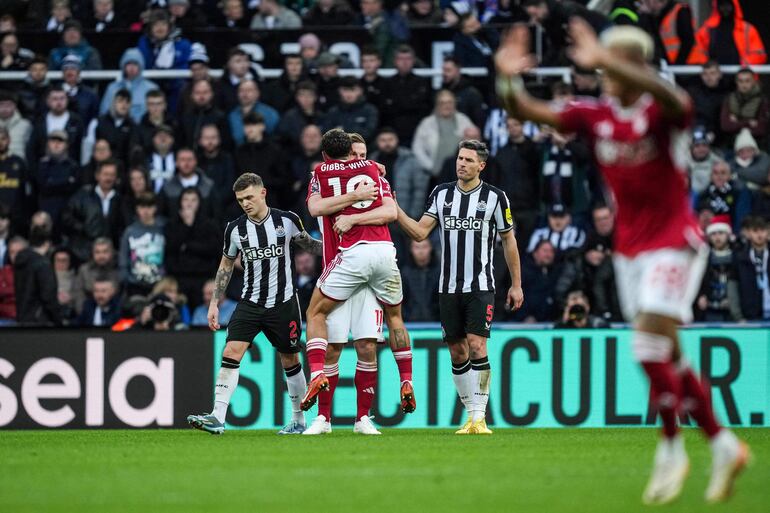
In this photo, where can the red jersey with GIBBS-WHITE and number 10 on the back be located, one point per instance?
(334, 178)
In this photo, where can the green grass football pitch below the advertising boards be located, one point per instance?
(522, 470)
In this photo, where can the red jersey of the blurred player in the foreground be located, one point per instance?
(641, 155)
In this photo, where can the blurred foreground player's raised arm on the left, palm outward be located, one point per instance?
(511, 60)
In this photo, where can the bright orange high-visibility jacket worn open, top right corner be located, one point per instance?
(747, 40)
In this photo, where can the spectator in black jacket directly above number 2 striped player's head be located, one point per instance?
(260, 155)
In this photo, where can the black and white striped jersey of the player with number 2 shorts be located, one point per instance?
(266, 254)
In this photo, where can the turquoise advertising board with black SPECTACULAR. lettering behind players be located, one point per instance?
(540, 378)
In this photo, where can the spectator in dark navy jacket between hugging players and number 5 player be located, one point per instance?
(420, 273)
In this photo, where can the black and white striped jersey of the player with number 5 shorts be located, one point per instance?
(469, 223)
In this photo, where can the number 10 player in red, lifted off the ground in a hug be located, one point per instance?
(366, 258)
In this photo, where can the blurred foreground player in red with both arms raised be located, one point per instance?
(638, 135)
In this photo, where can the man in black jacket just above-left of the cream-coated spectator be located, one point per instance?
(409, 97)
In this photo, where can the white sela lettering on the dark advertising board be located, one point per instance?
(37, 390)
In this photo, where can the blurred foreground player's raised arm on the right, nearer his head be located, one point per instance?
(587, 52)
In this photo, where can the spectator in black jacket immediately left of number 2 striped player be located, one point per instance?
(191, 256)
